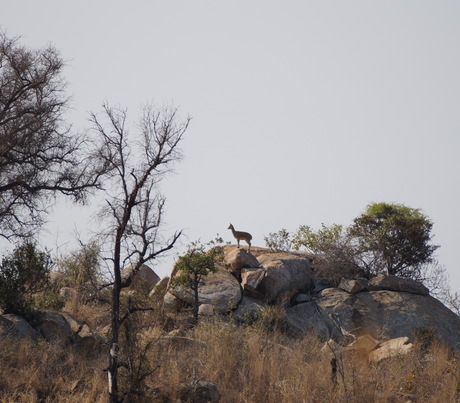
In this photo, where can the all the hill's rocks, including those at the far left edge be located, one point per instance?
(245, 284)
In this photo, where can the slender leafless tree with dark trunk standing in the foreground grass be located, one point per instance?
(134, 205)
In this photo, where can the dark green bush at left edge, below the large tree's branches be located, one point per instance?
(22, 274)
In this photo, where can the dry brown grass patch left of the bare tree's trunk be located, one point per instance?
(44, 372)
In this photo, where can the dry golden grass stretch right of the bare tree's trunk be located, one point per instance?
(248, 366)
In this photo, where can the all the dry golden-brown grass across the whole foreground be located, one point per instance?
(247, 363)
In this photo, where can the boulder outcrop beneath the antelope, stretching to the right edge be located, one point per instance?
(385, 307)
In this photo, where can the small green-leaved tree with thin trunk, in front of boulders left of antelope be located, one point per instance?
(193, 268)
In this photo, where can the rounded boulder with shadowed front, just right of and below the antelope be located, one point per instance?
(285, 274)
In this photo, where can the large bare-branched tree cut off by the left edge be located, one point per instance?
(39, 155)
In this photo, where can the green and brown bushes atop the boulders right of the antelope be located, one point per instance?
(385, 239)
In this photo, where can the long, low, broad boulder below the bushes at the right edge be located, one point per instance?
(382, 314)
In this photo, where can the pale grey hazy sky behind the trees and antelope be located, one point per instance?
(303, 111)
